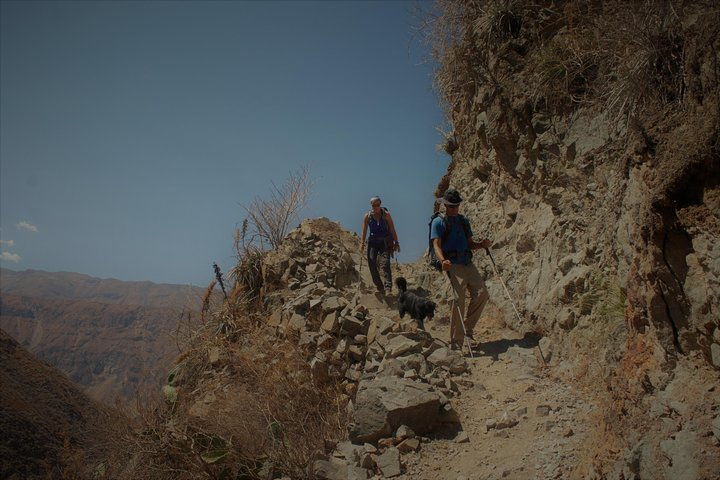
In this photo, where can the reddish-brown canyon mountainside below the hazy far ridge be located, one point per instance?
(110, 350)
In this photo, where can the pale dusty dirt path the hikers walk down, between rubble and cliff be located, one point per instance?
(519, 420)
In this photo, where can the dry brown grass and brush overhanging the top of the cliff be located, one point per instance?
(621, 56)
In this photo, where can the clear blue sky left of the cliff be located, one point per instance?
(131, 133)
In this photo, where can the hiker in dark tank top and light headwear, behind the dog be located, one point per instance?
(381, 244)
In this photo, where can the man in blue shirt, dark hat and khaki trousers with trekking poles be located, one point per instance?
(452, 242)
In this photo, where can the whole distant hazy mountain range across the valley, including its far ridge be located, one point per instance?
(110, 337)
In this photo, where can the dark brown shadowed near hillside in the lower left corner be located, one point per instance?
(49, 428)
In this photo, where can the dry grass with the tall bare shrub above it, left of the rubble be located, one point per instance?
(239, 402)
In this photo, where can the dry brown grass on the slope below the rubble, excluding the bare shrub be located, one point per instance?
(243, 406)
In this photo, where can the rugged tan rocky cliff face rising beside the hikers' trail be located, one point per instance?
(605, 220)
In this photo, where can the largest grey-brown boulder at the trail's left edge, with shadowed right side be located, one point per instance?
(385, 403)
